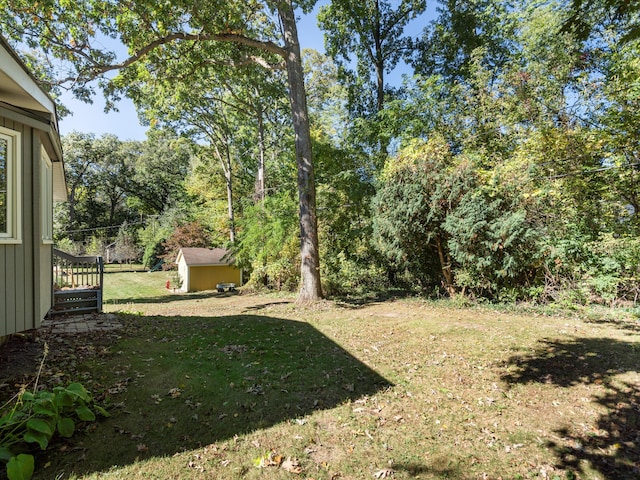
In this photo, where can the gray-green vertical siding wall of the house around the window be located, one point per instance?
(23, 278)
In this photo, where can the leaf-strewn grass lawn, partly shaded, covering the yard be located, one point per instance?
(233, 386)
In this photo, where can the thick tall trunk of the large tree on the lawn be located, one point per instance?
(310, 288)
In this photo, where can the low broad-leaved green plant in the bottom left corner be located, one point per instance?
(34, 417)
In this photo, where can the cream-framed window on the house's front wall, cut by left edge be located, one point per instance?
(9, 186)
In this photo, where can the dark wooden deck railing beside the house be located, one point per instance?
(77, 282)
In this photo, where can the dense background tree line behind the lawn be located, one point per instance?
(504, 167)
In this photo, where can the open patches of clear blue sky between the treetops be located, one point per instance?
(90, 118)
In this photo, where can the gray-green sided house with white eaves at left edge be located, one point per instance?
(31, 179)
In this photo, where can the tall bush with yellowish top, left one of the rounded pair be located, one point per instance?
(417, 190)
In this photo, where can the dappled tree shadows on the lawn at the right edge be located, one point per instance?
(612, 447)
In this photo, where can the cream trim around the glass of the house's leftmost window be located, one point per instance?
(13, 235)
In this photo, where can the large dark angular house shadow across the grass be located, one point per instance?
(179, 383)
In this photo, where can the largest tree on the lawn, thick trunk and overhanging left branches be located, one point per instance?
(151, 30)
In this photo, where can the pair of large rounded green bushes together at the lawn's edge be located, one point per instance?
(437, 217)
